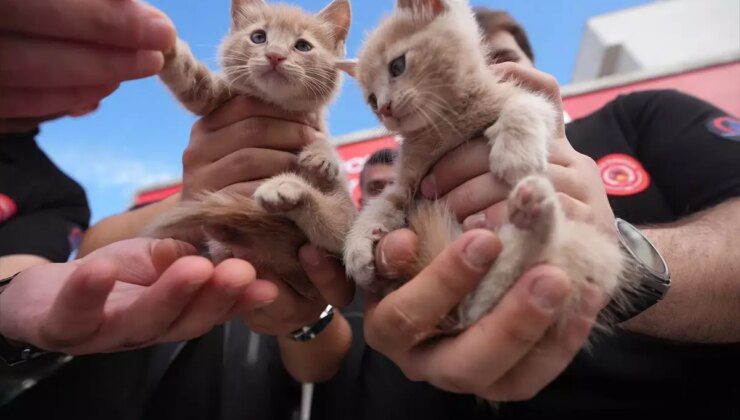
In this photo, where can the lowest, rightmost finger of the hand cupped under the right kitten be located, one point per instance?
(551, 356)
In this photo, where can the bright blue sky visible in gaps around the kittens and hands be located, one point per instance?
(136, 138)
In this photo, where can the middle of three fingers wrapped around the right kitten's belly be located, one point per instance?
(476, 195)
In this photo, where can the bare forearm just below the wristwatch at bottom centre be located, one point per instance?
(320, 359)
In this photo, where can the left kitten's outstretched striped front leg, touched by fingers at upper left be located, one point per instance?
(191, 81)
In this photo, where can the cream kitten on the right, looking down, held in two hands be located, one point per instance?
(424, 73)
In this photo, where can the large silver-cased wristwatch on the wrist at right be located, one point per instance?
(646, 267)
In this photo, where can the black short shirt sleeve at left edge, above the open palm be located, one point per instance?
(48, 233)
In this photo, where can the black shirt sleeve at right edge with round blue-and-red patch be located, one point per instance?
(687, 146)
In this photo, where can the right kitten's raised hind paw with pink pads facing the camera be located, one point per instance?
(532, 203)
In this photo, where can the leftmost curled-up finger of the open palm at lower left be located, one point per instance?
(77, 312)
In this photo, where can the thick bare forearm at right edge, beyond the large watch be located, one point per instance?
(703, 303)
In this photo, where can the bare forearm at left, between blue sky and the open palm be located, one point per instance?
(123, 226)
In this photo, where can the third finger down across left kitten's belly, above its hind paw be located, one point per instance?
(244, 165)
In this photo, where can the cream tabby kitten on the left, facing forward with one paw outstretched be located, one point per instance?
(289, 58)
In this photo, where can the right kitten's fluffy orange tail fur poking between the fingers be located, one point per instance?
(436, 227)
